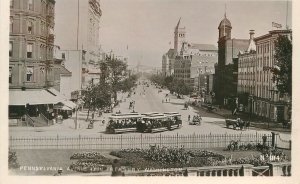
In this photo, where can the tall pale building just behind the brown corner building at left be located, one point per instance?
(82, 36)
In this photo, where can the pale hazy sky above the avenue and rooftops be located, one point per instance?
(147, 26)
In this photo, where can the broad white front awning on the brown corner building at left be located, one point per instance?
(31, 97)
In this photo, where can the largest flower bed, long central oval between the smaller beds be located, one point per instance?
(156, 157)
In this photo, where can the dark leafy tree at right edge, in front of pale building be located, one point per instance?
(282, 72)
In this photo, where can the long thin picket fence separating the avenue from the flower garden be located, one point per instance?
(194, 141)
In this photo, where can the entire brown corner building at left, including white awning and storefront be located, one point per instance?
(31, 63)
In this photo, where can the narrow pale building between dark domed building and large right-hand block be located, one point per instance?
(246, 75)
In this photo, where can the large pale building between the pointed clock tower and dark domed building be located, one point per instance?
(194, 64)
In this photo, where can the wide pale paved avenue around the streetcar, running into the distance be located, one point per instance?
(147, 99)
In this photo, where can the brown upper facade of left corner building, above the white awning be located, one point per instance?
(31, 43)
